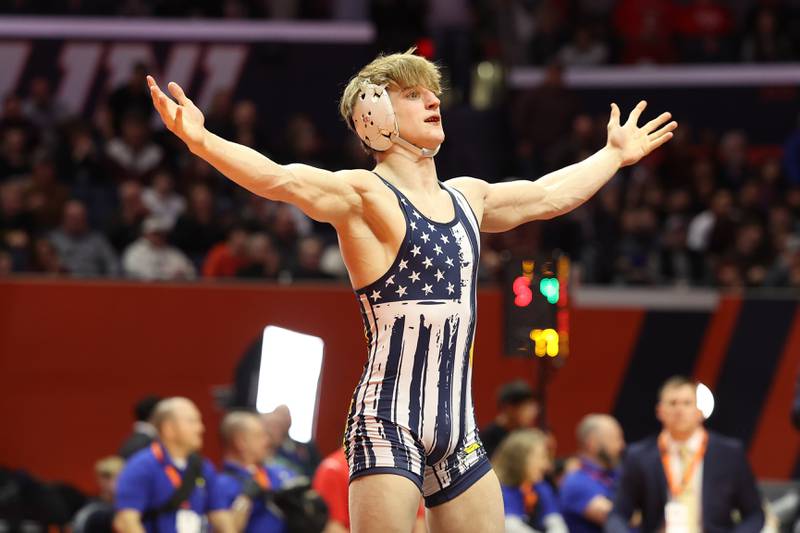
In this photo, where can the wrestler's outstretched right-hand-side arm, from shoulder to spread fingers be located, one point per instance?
(507, 205)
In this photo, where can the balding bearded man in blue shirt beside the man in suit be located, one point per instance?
(587, 494)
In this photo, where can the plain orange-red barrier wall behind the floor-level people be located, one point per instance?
(75, 356)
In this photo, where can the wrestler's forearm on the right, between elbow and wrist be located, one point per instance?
(571, 186)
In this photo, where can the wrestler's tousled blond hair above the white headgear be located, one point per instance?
(402, 70)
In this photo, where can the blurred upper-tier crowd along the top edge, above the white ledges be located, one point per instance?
(574, 32)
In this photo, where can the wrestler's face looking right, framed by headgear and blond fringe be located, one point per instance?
(418, 114)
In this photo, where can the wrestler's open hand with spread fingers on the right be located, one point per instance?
(633, 142)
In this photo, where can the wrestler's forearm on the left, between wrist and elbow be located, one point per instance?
(245, 166)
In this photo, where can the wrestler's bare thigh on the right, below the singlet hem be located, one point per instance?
(479, 509)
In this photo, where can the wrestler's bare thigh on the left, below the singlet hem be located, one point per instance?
(383, 503)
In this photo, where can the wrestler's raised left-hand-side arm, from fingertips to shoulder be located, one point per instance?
(323, 195)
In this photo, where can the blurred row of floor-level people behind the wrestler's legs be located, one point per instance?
(269, 483)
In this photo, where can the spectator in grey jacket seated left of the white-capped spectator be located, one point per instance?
(83, 252)
